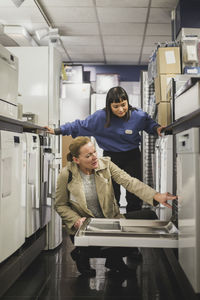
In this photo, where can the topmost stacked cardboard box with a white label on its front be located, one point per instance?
(168, 60)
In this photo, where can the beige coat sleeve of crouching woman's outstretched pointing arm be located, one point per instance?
(133, 185)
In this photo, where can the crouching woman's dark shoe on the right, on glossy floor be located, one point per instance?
(119, 266)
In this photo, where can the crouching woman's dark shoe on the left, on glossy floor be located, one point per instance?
(82, 263)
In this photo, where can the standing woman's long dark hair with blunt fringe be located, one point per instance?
(116, 94)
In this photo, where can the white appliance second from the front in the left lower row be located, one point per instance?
(32, 183)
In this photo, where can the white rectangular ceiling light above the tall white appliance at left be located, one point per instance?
(20, 35)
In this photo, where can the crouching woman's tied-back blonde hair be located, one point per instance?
(75, 146)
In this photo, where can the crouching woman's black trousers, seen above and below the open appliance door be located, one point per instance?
(115, 253)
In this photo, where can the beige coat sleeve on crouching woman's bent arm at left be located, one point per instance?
(62, 205)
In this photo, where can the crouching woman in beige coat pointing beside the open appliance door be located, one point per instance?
(89, 194)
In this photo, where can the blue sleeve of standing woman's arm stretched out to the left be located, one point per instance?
(85, 127)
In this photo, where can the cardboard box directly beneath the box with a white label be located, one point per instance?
(161, 83)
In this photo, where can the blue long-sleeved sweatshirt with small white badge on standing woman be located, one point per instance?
(120, 136)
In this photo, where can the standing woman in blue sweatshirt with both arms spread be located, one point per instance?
(116, 129)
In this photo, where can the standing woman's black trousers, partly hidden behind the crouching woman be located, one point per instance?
(129, 161)
